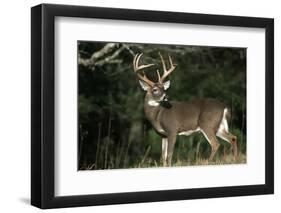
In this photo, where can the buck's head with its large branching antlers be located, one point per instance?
(155, 90)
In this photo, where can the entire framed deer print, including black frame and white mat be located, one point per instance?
(140, 106)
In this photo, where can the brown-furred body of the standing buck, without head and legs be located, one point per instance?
(182, 116)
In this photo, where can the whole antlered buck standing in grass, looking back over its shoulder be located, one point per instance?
(207, 116)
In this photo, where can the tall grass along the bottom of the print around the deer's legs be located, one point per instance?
(193, 150)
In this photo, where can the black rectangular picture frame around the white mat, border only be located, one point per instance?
(43, 102)
